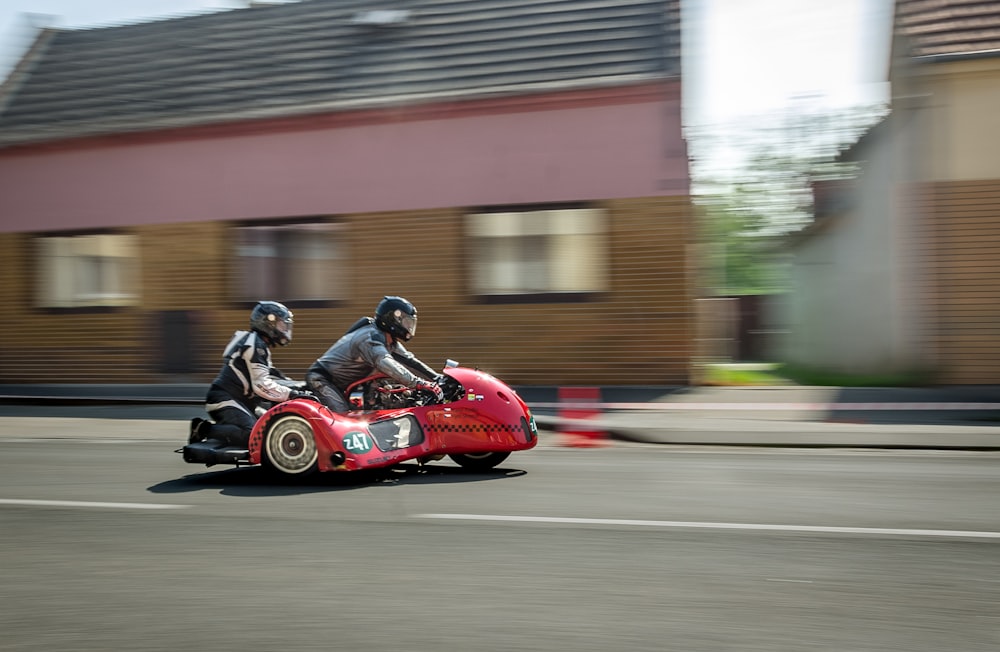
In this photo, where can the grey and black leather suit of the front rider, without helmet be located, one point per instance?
(362, 351)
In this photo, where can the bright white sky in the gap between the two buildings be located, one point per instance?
(746, 57)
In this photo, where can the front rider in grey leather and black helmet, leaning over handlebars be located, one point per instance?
(370, 345)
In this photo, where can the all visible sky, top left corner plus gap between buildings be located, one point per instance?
(743, 58)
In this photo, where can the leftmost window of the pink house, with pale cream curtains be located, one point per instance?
(85, 271)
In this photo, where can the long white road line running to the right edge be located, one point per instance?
(824, 529)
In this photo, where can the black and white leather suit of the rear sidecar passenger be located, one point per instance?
(244, 382)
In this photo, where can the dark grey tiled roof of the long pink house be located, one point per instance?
(284, 59)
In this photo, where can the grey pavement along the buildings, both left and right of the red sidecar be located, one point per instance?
(946, 417)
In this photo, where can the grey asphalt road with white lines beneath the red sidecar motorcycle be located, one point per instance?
(110, 542)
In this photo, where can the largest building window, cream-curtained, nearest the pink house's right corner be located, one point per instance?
(549, 253)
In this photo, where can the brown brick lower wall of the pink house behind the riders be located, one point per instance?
(639, 333)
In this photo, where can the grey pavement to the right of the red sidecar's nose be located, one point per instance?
(960, 418)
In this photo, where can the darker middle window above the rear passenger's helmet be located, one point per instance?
(289, 262)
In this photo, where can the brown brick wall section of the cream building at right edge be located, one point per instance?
(962, 232)
